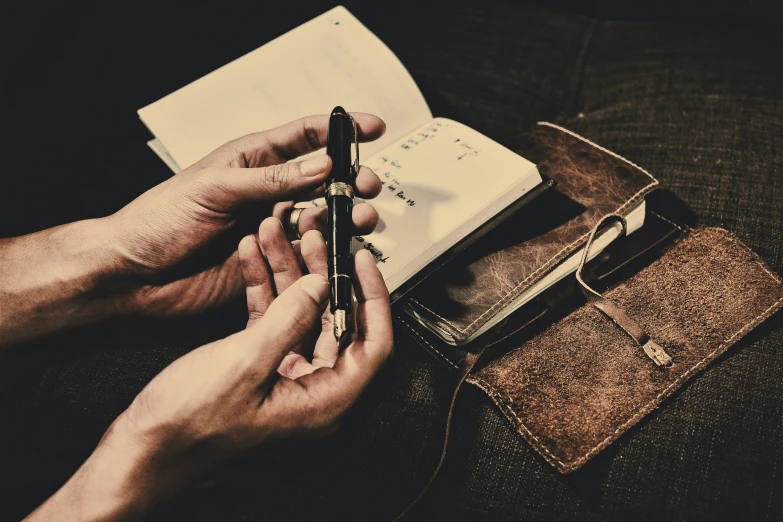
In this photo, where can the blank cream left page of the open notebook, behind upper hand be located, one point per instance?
(328, 61)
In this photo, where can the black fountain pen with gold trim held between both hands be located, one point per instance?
(339, 197)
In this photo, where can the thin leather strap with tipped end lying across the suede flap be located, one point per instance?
(653, 350)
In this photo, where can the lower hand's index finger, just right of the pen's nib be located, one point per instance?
(373, 312)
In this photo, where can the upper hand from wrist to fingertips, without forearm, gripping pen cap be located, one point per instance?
(177, 242)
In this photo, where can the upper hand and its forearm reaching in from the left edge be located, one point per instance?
(173, 250)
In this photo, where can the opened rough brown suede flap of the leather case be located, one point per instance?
(577, 386)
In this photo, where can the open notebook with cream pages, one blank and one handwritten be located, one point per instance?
(441, 180)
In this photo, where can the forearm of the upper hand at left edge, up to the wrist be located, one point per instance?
(56, 278)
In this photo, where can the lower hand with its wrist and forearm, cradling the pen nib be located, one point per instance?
(246, 390)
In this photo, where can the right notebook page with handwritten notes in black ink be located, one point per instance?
(440, 182)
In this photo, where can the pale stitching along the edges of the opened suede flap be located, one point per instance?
(647, 408)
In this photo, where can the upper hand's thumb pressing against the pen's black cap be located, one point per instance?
(227, 188)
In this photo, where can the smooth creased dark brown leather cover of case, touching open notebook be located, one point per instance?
(591, 182)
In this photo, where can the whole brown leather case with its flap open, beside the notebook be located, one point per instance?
(569, 376)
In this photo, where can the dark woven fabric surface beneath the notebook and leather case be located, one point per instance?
(698, 106)
